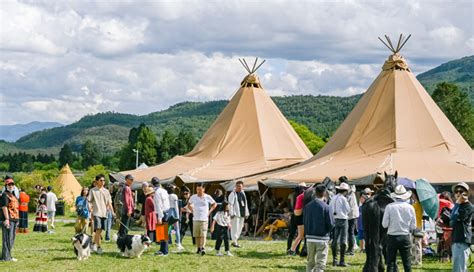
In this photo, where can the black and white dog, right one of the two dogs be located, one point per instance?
(132, 245)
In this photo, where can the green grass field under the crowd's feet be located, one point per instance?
(54, 252)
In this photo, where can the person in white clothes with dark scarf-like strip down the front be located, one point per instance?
(238, 211)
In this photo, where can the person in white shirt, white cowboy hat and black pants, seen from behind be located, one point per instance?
(399, 217)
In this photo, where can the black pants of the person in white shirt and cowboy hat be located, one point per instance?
(400, 243)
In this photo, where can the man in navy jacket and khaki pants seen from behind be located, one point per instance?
(317, 224)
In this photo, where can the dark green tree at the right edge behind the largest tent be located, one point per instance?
(456, 106)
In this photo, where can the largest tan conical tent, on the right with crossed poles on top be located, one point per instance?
(395, 126)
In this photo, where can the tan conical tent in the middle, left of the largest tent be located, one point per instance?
(250, 136)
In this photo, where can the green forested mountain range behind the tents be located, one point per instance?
(322, 114)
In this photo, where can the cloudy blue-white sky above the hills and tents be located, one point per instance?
(61, 60)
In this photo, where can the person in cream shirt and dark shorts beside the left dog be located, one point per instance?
(100, 200)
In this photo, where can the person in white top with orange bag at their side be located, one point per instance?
(162, 206)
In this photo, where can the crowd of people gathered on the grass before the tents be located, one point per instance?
(318, 218)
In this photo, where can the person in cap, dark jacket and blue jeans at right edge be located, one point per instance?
(461, 220)
